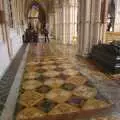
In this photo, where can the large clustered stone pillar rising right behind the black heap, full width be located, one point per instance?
(88, 25)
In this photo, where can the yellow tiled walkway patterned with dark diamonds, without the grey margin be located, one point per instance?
(53, 89)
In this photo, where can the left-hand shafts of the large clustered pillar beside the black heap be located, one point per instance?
(84, 24)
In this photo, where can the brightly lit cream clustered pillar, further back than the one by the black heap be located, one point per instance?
(65, 20)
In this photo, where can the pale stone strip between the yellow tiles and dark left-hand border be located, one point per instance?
(10, 104)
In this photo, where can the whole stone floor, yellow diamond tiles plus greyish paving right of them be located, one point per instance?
(58, 86)
